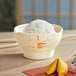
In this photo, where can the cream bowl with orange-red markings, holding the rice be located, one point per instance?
(37, 46)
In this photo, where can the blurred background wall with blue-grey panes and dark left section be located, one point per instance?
(14, 12)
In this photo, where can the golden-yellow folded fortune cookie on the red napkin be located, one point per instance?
(58, 66)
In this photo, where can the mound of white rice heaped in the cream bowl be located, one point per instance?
(39, 27)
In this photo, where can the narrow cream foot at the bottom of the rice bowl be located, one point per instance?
(39, 55)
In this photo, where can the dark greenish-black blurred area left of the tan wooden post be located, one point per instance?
(7, 15)
